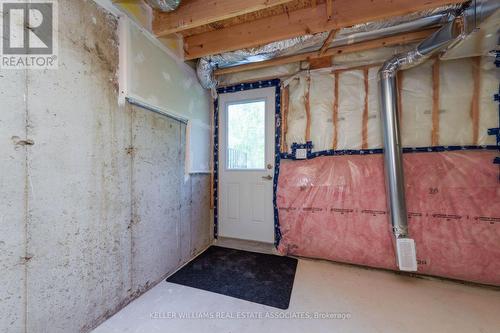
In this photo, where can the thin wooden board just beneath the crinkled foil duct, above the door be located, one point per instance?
(357, 47)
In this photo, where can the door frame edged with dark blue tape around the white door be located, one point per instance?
(276, 83)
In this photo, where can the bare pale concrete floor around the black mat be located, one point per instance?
(376, 301)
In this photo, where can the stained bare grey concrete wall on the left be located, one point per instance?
(94, 204)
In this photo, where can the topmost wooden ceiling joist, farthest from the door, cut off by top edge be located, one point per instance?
(195, 13)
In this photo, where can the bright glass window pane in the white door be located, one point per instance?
(246, 135)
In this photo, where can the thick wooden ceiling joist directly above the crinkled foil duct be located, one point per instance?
(301, 22)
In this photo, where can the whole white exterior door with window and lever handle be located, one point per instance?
(246, 164)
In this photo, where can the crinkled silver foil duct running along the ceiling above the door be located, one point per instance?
(354, 34)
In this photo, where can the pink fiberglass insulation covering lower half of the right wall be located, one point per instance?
(335, 208)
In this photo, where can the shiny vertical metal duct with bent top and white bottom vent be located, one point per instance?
(448, 35)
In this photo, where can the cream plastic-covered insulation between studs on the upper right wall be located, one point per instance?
(455, 100)
